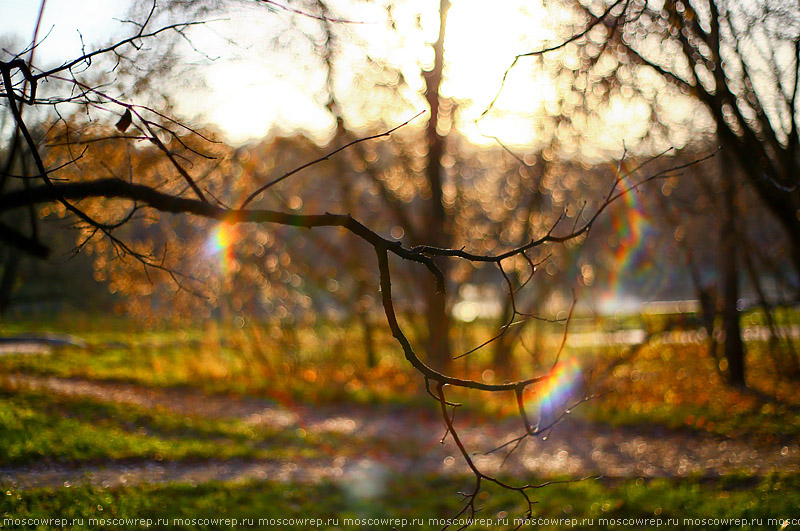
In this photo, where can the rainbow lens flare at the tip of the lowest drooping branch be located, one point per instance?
(557, 392)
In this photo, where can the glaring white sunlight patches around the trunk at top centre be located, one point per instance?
(255, 94)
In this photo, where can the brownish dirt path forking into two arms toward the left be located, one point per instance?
(400, 440)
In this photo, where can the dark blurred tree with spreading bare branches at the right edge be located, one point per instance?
(707, 73)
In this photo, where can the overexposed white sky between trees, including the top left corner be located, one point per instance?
(258, 84)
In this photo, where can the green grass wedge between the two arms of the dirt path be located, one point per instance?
(36, 425)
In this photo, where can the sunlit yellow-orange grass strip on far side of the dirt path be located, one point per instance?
(675, 386)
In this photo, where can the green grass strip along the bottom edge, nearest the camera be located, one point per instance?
(416, 497)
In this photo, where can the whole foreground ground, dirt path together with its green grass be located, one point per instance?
(77, 434)
